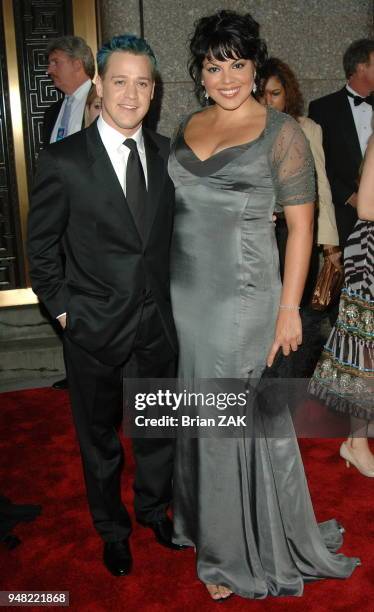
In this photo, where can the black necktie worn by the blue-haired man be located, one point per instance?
(136, 191)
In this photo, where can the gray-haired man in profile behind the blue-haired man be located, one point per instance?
(71, 66)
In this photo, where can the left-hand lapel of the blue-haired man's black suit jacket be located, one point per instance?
(103, 169)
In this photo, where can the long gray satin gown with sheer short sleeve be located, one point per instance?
(243, 503)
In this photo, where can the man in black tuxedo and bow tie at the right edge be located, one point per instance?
(346, 120)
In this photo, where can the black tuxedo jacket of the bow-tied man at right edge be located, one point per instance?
(342, 153)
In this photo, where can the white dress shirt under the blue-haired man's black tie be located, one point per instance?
(118, 152)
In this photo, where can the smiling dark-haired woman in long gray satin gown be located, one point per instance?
(242, 502)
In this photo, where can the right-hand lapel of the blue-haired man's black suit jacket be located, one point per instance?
(156, 178)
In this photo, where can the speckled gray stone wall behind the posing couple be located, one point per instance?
(311, 35)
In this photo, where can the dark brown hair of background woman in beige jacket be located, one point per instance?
(294, 98)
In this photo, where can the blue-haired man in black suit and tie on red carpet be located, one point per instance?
(106, 194)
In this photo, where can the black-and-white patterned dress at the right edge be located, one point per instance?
(344, 376)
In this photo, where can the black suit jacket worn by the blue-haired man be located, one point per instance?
(77, 198)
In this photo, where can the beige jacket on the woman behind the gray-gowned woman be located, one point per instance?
(327, 232)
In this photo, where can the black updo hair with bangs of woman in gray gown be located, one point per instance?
(224, 35)
